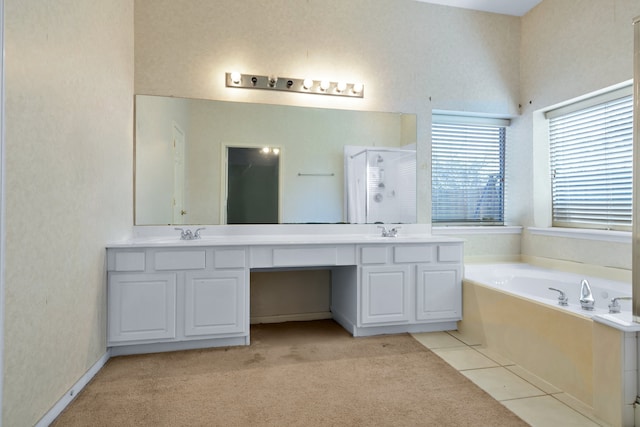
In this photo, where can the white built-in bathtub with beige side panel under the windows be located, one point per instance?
(509, 309)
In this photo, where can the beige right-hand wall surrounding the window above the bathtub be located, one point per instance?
(569, 48)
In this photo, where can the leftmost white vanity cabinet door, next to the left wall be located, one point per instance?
(142, 307)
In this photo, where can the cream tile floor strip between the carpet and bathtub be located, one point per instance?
(535, 401)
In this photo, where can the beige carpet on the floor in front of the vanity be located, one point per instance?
(293, 374)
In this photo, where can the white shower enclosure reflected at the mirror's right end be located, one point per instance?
(380, 185)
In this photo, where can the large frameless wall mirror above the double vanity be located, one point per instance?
(183, 164)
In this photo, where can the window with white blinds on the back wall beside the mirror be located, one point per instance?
(467, 177)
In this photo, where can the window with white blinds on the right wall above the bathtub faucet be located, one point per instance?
(591, 149)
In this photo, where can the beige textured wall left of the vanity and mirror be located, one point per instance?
(69, 125)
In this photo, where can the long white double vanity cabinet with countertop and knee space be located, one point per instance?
(171, 294)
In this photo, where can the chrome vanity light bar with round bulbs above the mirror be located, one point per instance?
(288, 84)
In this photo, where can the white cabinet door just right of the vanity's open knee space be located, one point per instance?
(385, 294)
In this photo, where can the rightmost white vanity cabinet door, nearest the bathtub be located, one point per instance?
(438, 294)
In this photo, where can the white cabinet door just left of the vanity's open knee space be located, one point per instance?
(214, 303)
